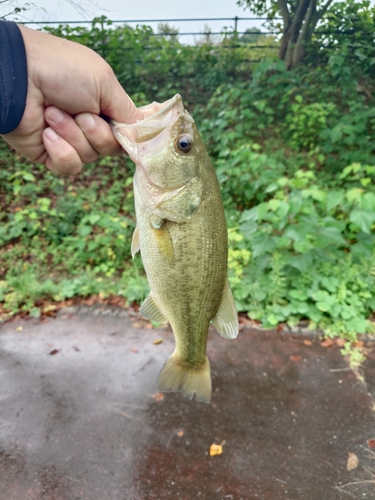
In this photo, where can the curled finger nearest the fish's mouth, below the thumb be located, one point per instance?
(98, 133)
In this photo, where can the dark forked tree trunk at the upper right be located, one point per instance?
(299, 17)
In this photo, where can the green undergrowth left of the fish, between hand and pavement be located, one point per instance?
(67, 238)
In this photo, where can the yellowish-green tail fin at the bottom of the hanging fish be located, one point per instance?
(190, 380)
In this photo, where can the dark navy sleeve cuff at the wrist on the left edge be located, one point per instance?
(13, 76)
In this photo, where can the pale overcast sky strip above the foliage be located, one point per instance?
(64, 10)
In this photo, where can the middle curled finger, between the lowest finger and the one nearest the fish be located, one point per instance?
(65, 126)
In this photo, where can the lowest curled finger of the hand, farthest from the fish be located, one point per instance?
(62, 158)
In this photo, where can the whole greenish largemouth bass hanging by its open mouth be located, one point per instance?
(183, 240)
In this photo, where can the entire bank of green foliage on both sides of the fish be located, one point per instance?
(294, 154)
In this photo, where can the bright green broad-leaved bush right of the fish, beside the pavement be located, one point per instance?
(312, 257)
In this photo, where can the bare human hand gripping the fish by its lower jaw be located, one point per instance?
(69, 85)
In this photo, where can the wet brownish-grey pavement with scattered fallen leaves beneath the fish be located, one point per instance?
(81, 418)
